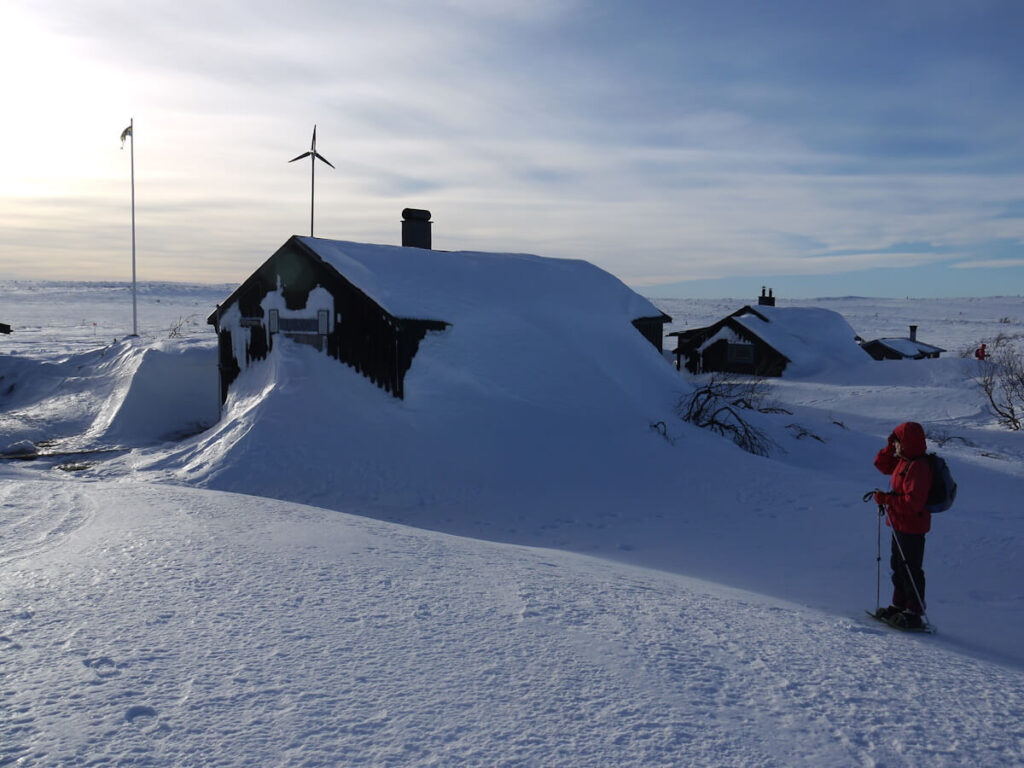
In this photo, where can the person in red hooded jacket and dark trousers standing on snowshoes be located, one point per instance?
(905, 458)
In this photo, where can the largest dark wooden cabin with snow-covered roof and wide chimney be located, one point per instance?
(370, 307)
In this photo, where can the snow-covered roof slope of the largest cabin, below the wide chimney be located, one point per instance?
(451, 286)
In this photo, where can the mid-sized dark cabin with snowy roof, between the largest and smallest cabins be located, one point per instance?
(767, 342)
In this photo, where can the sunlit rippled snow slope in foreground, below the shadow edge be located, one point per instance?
(323, 639)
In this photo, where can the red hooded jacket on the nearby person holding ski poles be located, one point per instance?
(912, 478)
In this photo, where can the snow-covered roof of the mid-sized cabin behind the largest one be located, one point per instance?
(814, 339)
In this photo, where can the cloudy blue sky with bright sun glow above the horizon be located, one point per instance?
(691, 149)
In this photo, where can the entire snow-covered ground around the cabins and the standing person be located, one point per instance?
(478, 576)
